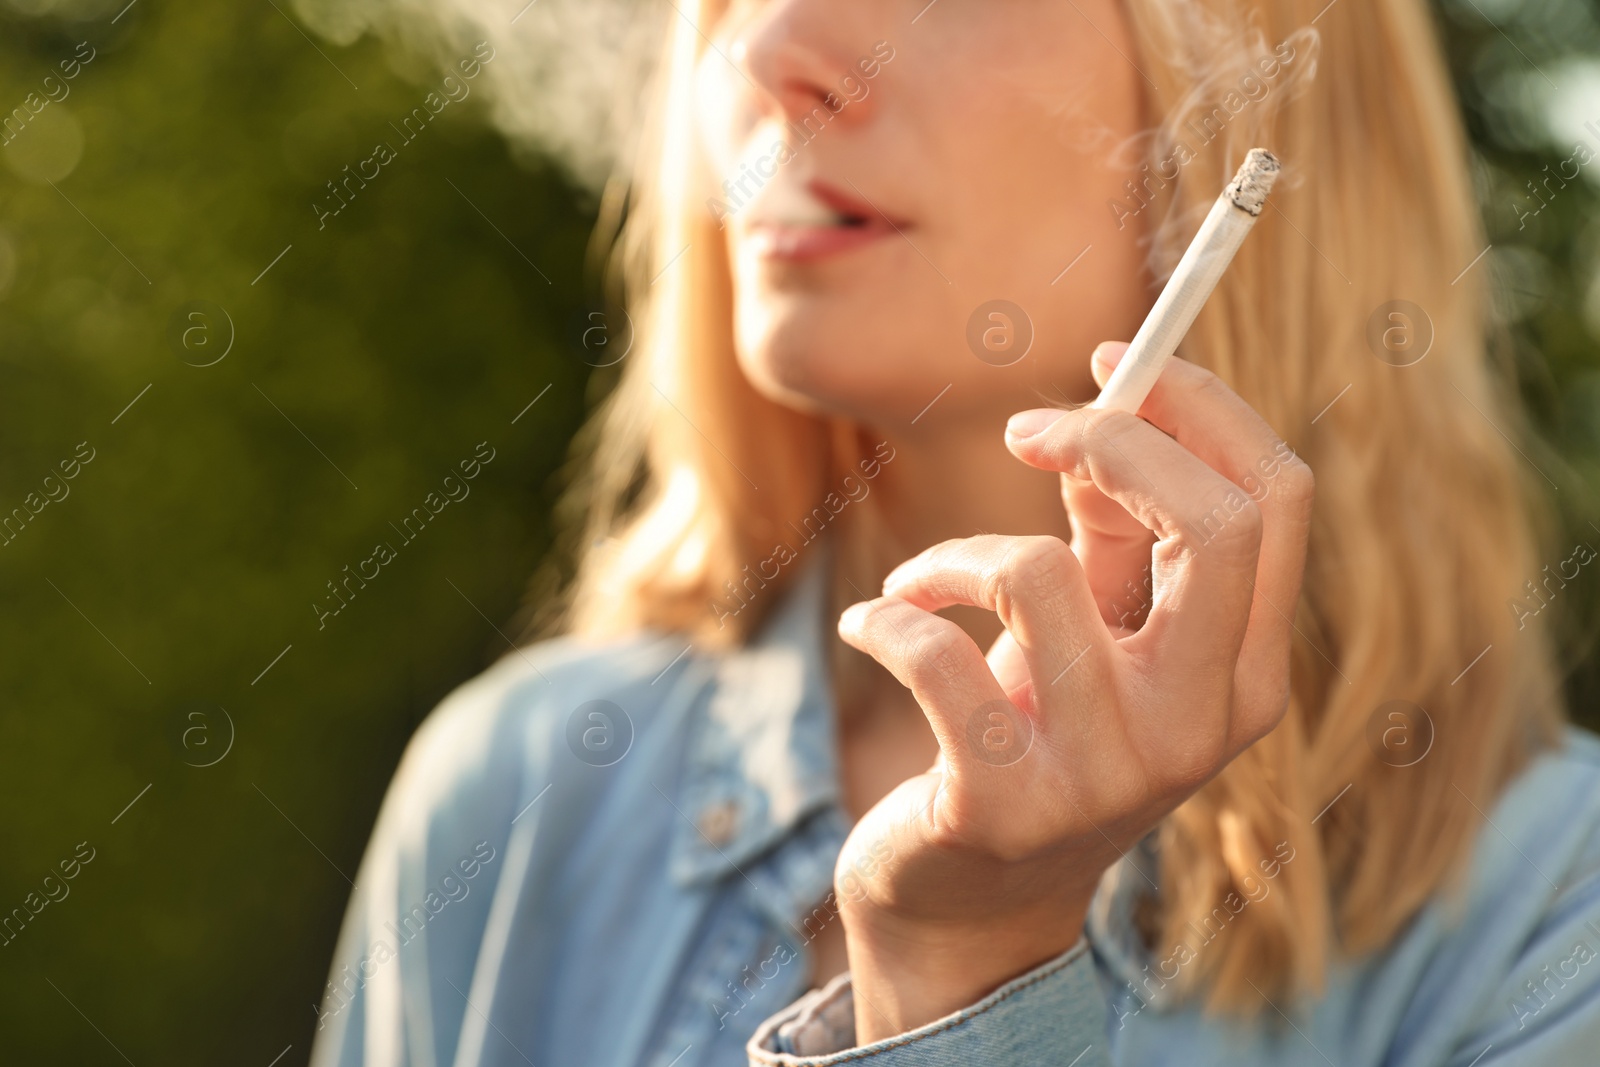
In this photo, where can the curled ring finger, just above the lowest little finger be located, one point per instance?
(1034, 585)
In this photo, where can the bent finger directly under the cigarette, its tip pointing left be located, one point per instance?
(1206, 557)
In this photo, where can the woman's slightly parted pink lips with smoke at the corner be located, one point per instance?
(814, 222)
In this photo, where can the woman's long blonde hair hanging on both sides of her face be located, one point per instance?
(1423, 532)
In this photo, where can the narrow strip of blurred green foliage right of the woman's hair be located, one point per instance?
(1529, 78)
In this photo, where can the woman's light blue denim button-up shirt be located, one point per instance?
(620, 855)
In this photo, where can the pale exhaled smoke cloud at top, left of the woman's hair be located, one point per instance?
(569, 78)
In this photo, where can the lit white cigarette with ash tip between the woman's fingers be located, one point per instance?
(1191, 286)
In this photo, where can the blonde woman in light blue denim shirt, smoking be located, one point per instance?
(1244, 778)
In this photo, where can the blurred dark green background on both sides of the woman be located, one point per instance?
(254, 380)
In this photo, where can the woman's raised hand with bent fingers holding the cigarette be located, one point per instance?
(1079, 732)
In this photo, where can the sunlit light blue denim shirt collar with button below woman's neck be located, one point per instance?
(762, 746)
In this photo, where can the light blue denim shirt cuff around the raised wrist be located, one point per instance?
(1047, 1017)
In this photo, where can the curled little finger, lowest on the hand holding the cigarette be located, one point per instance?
(930, 657)
